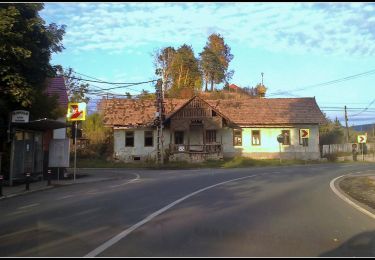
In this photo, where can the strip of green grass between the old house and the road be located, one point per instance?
(237, 162)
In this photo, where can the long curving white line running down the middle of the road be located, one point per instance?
(126, 232)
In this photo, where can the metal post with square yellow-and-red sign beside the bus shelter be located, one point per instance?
(76, 112)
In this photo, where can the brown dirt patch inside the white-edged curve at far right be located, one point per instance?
(360, 188)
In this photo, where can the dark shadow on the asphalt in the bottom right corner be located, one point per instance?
(362, 245)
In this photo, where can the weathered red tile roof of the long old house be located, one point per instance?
(243, 112)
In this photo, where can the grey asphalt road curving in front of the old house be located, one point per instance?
(266, 211)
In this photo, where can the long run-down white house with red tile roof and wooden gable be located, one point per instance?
(199, 129)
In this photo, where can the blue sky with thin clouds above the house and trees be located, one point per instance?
(295, 45)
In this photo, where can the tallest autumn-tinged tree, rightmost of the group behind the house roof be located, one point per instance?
(215, 59)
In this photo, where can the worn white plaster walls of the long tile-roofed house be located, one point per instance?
(269, 147)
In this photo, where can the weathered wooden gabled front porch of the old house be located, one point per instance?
(195, 133)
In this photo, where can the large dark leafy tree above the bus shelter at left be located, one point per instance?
(26, 45)
